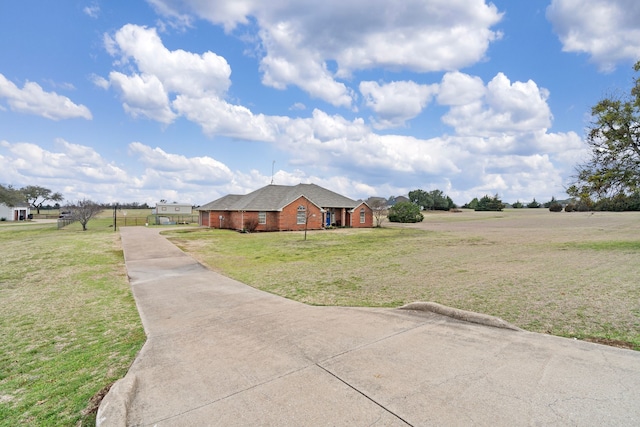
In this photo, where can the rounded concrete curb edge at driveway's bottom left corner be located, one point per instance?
(114, 408)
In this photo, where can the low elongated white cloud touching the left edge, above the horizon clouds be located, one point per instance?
(32, 99)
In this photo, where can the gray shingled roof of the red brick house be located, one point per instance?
(276, 197)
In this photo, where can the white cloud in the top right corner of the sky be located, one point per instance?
(607, 30)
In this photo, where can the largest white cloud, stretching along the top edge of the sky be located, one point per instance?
(300, 42)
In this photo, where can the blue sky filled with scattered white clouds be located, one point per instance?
(189, 100)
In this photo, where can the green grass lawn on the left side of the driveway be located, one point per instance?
(69, 326)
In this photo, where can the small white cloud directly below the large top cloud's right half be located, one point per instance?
(396, 102)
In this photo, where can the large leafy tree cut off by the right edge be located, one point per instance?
(614, 142)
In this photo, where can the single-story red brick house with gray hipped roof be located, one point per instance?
(285, 208)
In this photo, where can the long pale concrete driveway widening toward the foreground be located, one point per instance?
(221, 353)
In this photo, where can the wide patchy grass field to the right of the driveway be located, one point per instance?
(568, 274)
